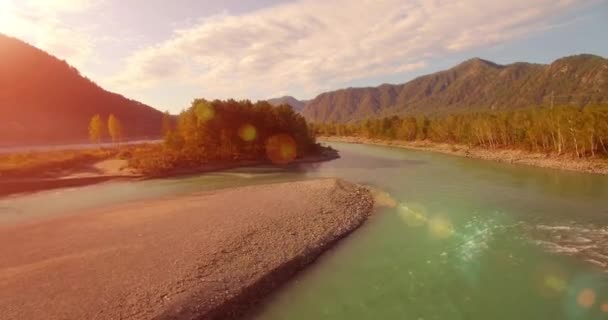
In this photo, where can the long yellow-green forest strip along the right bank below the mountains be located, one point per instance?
(581, 132)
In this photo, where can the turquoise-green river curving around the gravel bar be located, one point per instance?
(469, 239)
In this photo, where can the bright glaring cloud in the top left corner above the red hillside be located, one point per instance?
(41, 23)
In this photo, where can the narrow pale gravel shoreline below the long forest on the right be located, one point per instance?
(594, 166)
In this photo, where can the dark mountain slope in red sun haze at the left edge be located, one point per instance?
(45, 100)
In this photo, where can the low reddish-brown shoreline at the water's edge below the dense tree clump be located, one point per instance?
(12, 186)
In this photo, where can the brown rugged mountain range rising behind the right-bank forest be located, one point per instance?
(475, 84)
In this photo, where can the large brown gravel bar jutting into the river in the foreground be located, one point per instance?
(212, 255)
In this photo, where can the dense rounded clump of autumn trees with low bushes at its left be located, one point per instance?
(221, 131)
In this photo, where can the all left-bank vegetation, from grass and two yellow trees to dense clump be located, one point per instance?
(206, 135)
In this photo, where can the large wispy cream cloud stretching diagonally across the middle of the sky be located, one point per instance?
(314, 45)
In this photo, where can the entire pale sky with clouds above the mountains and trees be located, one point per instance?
(166, 53)
